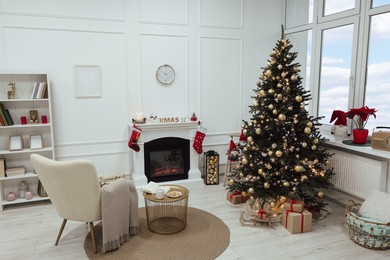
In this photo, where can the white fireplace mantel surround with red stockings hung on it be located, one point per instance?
(152, 131)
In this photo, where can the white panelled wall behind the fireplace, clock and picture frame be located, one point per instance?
(216, 47)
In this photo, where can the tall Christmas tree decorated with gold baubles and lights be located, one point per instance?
(284, 155)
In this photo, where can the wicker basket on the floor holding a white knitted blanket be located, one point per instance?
(364, 232)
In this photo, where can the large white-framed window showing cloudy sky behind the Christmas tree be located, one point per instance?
(350, 61)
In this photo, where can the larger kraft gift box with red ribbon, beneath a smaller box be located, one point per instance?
(297, 222)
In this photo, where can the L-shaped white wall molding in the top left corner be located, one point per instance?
(92, 18)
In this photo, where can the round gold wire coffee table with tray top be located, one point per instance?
(167, 215)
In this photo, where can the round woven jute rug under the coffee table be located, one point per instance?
(205, 237)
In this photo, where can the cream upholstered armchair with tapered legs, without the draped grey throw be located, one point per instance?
(73, 188)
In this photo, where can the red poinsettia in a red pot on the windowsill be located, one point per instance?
(360, 117)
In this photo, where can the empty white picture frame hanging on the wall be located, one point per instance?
(87, 81)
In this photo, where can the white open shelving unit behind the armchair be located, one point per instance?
(18, 107)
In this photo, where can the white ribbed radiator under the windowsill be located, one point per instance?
(357, 175)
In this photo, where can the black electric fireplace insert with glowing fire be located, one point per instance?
(167, 159)
